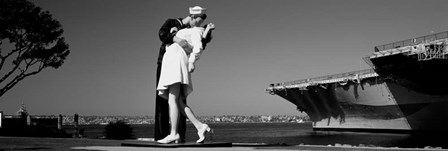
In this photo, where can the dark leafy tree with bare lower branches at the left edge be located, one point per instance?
(30, 41)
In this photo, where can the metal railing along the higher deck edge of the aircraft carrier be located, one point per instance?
(413, 41)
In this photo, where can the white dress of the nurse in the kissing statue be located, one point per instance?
(175, 62)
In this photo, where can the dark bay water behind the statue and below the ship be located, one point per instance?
(287, 134)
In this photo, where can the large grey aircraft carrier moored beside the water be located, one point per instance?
(404, 91)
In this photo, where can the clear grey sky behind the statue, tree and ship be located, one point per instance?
(114, 46)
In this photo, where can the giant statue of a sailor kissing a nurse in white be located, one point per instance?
(183, 42)
